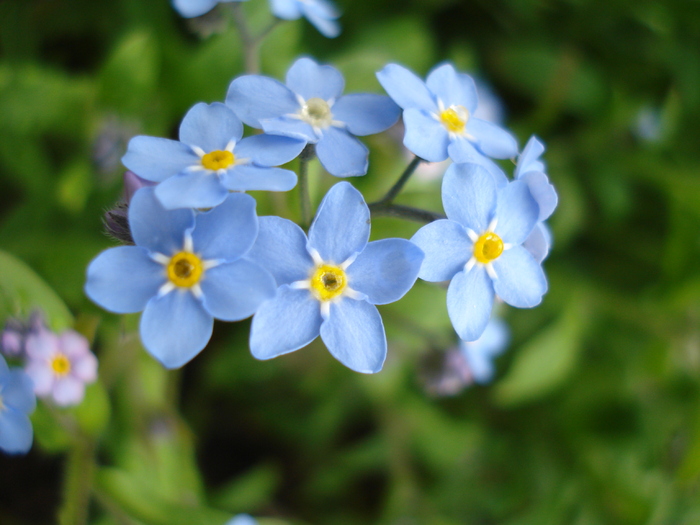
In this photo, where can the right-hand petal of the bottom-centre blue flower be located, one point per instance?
(385, 270)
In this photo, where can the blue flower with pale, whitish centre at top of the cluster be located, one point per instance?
(310, 107)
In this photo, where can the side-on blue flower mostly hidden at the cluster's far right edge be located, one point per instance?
(531, 170)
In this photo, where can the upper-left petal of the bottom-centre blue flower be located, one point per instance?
(281, 249)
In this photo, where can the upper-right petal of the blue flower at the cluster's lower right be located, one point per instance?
(516, 212)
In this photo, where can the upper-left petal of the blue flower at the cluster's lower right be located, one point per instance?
(469, 196)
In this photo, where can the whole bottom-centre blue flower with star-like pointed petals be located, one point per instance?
(330, 283)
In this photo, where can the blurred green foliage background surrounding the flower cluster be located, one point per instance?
(594, 417)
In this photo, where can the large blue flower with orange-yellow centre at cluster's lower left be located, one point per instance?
(184, 271)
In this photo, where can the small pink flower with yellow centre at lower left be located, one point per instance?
(60, 365)
